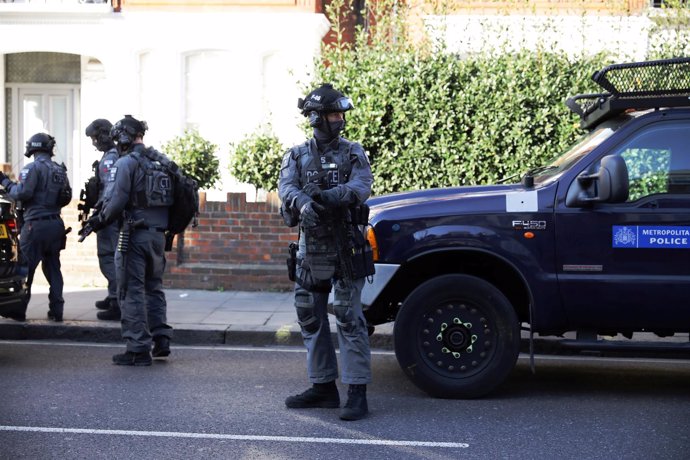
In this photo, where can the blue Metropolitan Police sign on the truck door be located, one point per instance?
(666, 237)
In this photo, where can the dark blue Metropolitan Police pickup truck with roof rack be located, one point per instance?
(597, 242)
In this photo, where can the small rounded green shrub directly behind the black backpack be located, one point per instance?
(196, 157)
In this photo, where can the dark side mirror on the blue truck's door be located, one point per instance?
(607, 185)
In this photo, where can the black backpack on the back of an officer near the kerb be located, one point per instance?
(185, 191)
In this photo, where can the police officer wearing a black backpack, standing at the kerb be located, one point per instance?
(140, 193)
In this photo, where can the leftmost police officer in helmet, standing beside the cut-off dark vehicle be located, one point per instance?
(43, 190)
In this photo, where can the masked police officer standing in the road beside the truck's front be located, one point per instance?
(323, 185)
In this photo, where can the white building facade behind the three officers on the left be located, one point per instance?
(224, 71)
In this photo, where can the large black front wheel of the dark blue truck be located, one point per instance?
(457, 336)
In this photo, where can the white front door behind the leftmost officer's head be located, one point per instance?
(45, 109)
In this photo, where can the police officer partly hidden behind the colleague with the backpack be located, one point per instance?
(93, 193)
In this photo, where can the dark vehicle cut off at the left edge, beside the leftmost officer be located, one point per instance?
(13, 300)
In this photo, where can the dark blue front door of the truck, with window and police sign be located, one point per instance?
(627, 265)
